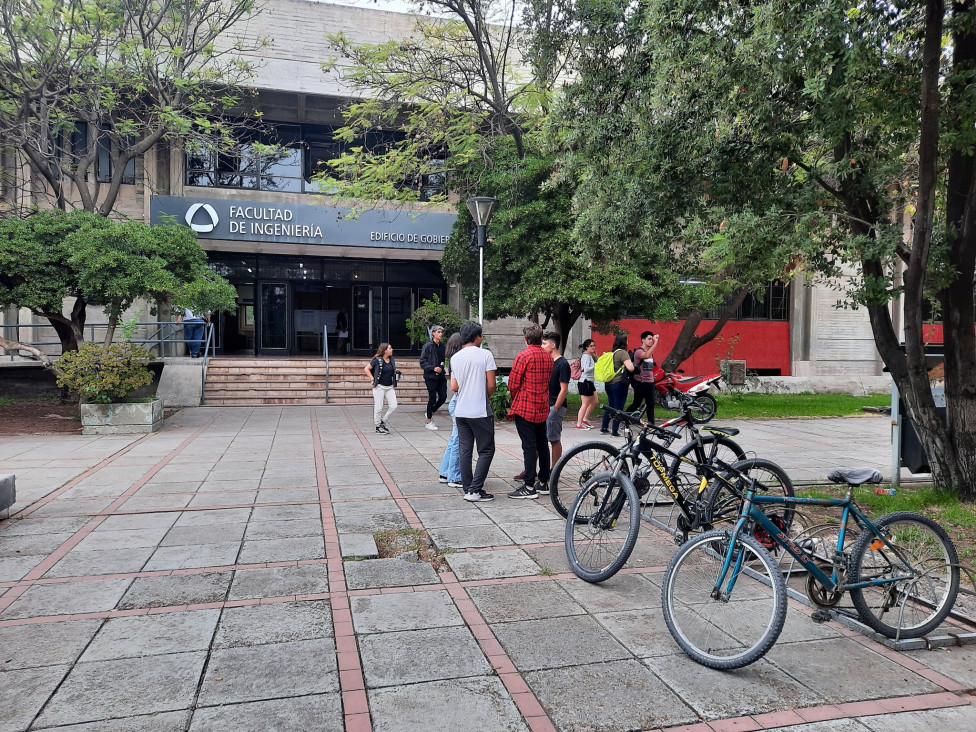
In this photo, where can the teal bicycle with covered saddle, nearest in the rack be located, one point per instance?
(724, 597)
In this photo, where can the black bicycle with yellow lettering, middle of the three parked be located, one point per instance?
(596, 545)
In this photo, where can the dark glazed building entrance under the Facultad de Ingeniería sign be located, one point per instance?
(286, 303)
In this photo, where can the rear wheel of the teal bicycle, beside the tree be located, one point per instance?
(927, 571)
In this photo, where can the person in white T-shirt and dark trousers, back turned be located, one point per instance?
(473, 378)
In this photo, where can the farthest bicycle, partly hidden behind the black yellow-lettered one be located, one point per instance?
(581, 462)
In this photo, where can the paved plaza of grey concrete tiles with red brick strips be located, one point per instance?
(194, 579)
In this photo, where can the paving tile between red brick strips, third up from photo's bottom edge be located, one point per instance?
(404, 611)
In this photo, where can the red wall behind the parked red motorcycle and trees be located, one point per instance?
(763, 344)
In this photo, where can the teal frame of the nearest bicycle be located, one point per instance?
(832, 582)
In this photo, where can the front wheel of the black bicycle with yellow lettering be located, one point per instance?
(603, 525)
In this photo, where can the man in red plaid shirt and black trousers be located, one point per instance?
(529, 385)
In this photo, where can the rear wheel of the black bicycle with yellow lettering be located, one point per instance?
(725, 496)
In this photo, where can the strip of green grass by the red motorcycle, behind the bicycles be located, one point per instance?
(765, 406)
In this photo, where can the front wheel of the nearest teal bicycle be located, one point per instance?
(729, 629)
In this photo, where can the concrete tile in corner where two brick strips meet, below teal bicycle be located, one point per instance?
(847, 681)
